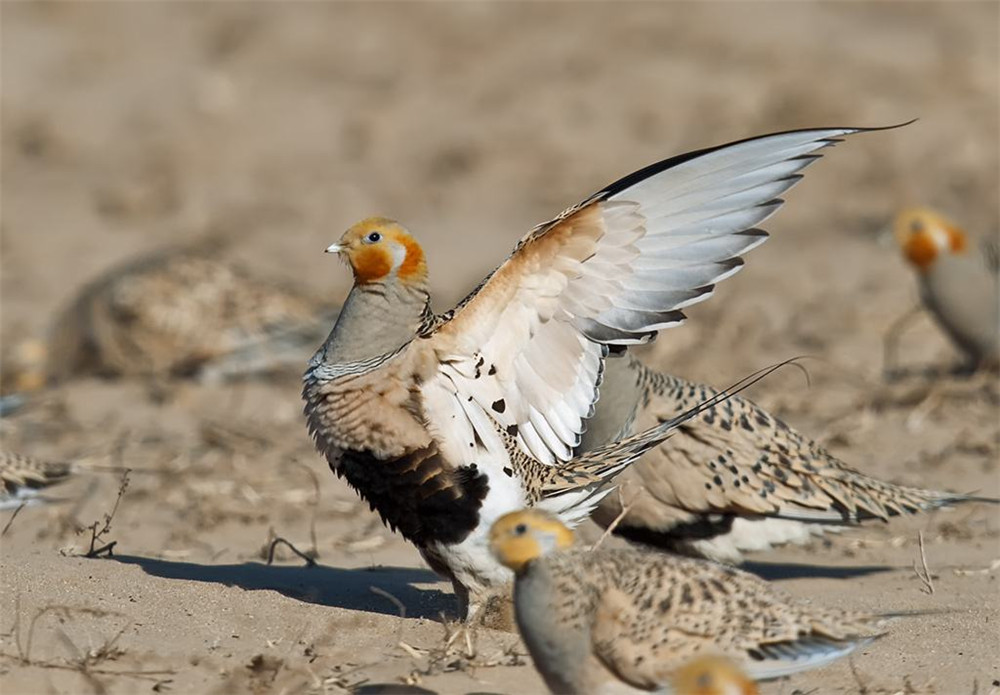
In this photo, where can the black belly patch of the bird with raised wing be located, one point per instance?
(417, 496)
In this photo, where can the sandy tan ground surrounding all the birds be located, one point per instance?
(127, 127)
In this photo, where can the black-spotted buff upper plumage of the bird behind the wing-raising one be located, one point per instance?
(735, 459)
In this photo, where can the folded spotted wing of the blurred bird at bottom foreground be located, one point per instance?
(674, 611)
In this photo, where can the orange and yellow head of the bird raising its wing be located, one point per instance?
(379, 249)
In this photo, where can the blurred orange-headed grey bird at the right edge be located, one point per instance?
(959, 281)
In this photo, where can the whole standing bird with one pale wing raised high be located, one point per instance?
(444, 423)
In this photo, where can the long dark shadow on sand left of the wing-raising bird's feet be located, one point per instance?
(327, 586)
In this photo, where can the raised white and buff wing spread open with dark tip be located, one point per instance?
(525, 351)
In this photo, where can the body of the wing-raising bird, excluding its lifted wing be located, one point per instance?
(382, 423)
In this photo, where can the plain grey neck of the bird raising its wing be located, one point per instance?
(377, 319)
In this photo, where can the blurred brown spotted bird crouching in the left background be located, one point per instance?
(179, 312)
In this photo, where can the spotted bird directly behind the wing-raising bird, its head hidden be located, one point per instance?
(733, 479)
